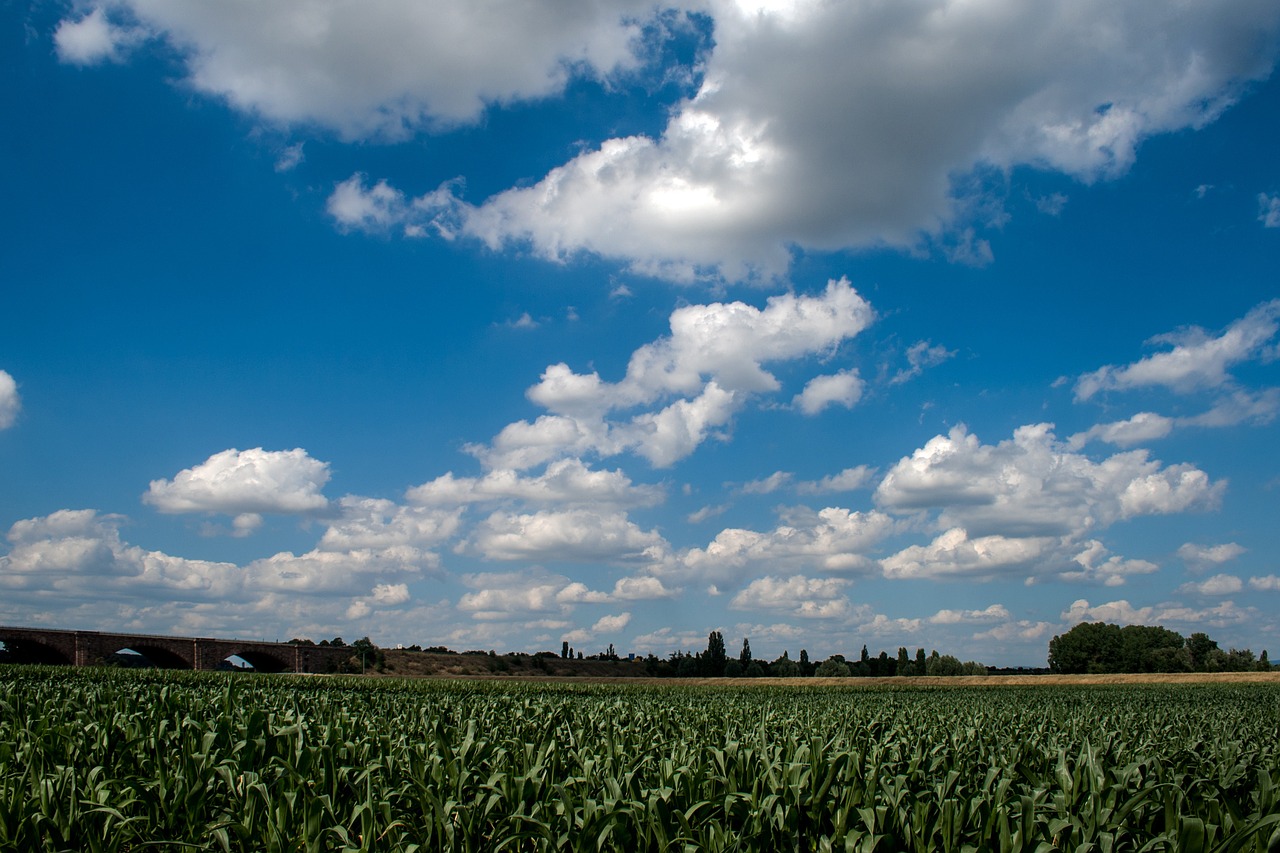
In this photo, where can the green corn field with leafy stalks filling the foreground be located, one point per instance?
(99, 760)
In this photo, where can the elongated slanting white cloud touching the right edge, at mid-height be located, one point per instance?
(1196, 359)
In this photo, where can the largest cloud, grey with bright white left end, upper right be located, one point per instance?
(769, 154)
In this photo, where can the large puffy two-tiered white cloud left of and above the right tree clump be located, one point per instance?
(1028, 507)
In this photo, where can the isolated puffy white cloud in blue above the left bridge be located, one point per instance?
(237, 482)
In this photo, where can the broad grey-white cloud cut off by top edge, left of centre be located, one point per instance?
(391, 69)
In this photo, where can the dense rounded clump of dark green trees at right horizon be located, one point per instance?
(1107, 649)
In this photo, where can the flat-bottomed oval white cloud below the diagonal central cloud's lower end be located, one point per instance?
(573, 535)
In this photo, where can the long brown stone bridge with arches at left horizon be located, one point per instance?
(92, 649)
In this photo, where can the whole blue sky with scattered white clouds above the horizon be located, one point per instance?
(495, 325)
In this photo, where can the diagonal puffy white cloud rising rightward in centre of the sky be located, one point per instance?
(688, 386)
